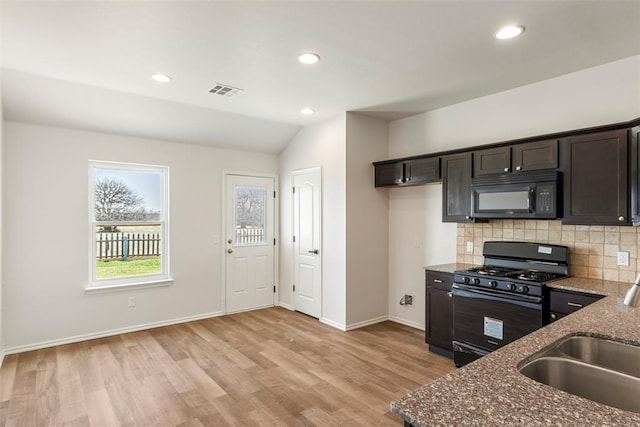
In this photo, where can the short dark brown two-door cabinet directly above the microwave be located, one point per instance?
(516, 158)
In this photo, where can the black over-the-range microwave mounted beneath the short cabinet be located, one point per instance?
(531, 195)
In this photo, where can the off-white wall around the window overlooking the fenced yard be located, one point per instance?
(46, 206)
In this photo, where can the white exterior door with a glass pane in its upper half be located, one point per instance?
(249, 242)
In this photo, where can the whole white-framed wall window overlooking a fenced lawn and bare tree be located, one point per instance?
(128, 209)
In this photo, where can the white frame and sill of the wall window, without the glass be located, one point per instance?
(139, 280)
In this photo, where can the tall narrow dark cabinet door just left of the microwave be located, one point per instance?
(456, 188)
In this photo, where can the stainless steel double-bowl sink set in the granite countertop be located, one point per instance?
(598, 369)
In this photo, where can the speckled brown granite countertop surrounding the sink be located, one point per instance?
(491, 390)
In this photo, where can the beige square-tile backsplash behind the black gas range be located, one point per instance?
(593, 249)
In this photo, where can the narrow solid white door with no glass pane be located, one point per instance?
(307, 231)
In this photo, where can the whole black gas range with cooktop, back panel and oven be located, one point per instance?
(504, 299)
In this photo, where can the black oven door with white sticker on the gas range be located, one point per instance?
(488, 319)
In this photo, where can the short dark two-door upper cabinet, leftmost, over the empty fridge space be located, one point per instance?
(407, 172)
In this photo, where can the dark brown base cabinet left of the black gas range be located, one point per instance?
(439, 312)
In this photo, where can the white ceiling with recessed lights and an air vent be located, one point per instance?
(87, 65)
